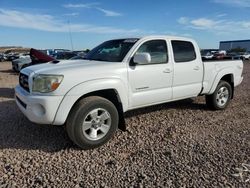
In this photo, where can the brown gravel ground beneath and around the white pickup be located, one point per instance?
(180, 144)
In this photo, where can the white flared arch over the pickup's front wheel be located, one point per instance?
(111, 89)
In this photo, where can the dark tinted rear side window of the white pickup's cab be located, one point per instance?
(184, 51)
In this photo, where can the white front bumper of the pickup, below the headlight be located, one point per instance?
(38, 109)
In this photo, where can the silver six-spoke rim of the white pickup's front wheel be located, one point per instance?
(96, 124)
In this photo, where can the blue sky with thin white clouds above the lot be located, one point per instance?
(81, 24)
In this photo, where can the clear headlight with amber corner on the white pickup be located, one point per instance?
(46, 83)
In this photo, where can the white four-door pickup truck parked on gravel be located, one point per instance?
(90, 96)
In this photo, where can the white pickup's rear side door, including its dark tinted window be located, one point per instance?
(188, 70)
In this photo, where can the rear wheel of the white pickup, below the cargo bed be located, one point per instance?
(221, 97)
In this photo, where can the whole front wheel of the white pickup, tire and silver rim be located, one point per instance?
(92, 122)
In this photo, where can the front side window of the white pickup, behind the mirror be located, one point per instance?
(157, 50)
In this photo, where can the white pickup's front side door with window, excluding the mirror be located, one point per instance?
(151, 83)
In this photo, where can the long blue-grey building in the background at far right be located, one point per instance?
(229, 45)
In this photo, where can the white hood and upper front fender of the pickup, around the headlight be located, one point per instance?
(78, 71)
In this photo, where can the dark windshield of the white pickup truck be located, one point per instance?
(112, 51)
